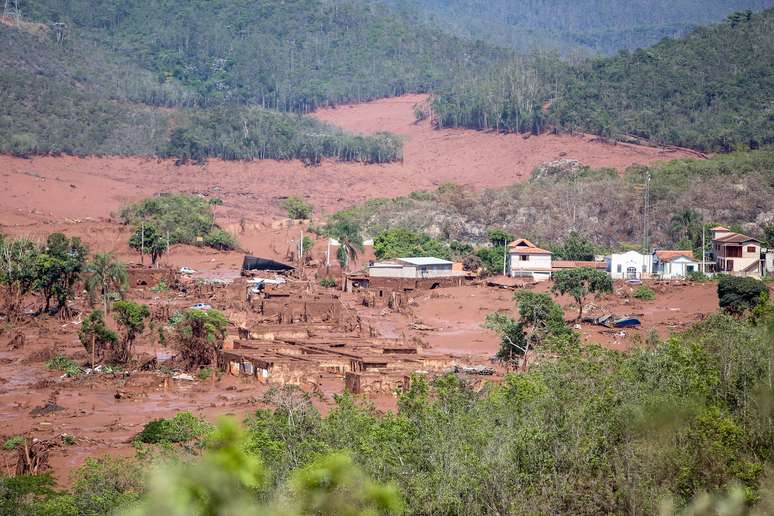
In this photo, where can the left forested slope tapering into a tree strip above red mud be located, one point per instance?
(76, 97)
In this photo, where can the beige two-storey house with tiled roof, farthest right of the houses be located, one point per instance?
(735, 253)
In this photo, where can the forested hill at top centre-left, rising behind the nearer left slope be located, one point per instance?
(292, 55)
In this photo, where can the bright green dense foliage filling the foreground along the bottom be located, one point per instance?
(584, 431)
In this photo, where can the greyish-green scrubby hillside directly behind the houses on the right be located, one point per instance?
(734, 189)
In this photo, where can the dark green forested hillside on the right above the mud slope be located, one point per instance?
(712, 90)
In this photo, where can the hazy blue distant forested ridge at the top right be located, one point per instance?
(594, 25)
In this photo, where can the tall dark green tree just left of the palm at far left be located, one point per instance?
(58, 267)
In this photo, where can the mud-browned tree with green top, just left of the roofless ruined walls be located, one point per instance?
(199, 336)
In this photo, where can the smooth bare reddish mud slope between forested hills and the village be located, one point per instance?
(57, 188)
